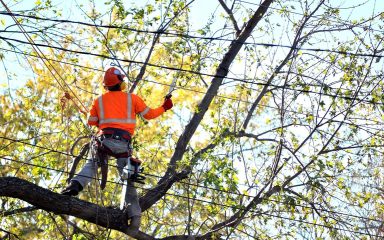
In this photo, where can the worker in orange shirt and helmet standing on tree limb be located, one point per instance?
(114, 113)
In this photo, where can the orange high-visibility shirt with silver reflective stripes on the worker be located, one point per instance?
(117, 109)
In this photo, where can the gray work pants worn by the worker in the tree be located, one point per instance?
(88, 172)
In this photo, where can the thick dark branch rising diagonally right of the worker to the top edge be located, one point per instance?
(169, 178)
